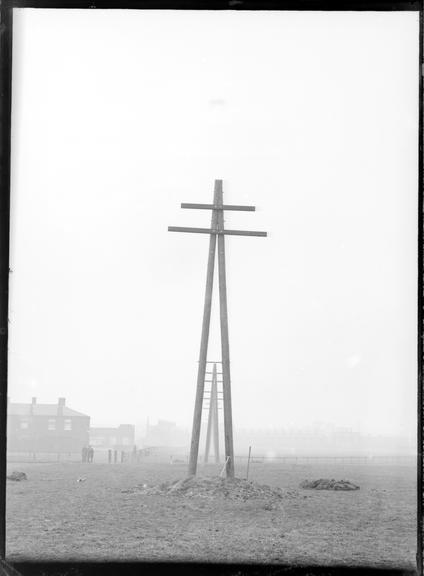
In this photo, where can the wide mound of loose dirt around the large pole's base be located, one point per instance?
(216, 487)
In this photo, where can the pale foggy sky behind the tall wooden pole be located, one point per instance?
(119, 116)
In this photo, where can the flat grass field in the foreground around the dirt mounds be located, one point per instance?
(51, 516)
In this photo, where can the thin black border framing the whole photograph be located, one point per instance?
(130, 568)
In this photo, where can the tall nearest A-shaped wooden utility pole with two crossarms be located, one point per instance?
(216, 229)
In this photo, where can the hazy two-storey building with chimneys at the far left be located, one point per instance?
(51, 428)
